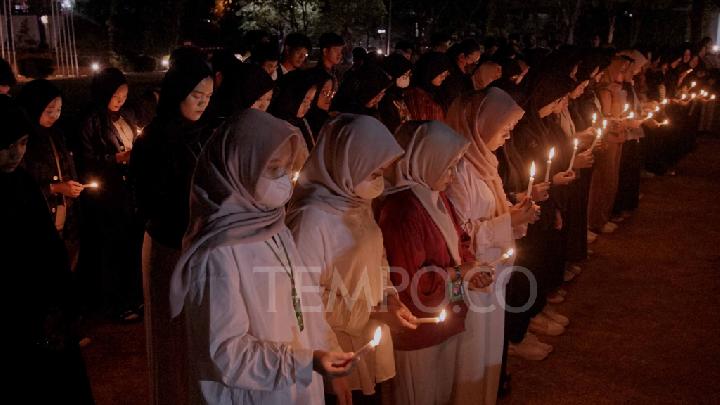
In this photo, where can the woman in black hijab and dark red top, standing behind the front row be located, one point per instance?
(423, 97)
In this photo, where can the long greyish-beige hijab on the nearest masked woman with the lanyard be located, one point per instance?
(223, 207)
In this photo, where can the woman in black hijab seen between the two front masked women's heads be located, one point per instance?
(292, 100)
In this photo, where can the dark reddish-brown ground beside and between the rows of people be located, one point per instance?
(645, 313)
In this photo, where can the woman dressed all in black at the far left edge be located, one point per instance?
(37, 273)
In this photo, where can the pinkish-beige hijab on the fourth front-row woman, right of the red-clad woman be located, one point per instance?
(479, 117)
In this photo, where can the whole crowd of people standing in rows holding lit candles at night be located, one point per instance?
(268, 220)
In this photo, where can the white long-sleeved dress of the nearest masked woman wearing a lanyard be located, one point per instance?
(245, 346)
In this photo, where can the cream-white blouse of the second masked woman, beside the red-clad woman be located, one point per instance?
(354, 277)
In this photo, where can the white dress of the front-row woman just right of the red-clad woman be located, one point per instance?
(481, 345)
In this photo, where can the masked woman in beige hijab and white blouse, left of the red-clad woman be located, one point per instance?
(333, 225)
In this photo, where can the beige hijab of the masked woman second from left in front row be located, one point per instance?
(349, 149)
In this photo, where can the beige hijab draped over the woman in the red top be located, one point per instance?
(430, 149)
